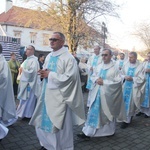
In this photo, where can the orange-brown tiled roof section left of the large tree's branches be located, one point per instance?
(23, 17)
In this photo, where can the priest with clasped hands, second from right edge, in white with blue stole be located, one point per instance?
(133, 87)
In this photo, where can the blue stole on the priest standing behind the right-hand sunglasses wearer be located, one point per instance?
(94, 64)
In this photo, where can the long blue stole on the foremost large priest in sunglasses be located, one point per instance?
(46, 123)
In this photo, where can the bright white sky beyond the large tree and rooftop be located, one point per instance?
(131, 13)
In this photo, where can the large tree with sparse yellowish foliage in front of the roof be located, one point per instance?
(75, 18)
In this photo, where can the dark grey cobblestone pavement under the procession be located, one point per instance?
(136, 137)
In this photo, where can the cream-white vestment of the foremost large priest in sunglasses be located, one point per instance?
(63, 101)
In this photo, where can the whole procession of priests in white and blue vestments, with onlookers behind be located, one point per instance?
(51, 95)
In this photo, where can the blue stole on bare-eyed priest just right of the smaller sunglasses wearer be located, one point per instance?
(128, 89)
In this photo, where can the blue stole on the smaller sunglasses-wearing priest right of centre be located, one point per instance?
(94, 112)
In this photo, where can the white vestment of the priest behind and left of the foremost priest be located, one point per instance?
(29, 87)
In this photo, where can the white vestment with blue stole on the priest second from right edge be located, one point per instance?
(133, 102)
